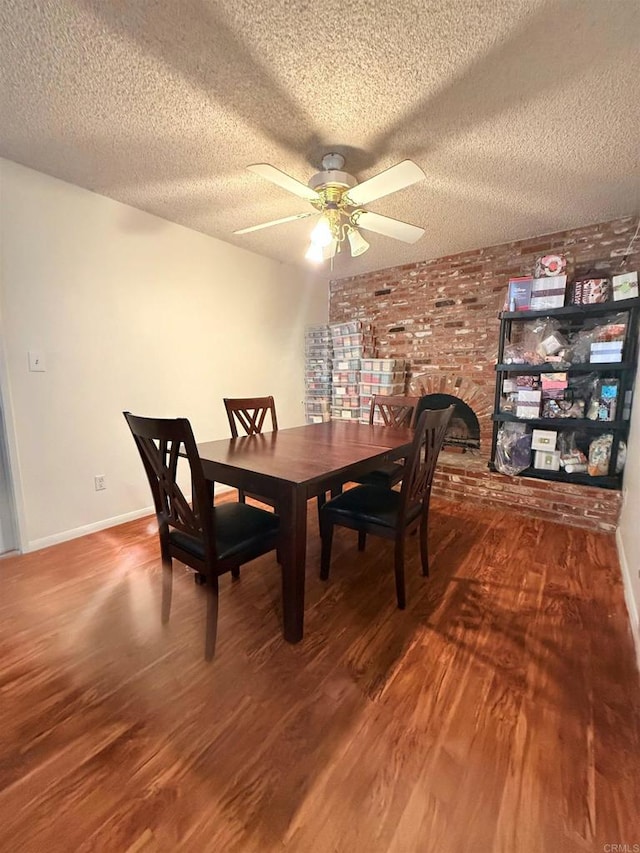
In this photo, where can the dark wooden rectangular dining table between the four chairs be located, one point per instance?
(292, 466)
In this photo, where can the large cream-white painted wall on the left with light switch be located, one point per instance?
(130, 312)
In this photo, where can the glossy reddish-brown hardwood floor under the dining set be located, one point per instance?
(499, 713)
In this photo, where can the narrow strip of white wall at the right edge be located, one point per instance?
(628, 533)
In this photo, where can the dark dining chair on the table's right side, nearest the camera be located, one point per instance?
(385, 512)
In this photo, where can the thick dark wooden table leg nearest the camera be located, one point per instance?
(293, 518)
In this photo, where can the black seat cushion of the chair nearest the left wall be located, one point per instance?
(238, 528)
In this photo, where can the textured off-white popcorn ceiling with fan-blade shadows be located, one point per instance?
(523, 114)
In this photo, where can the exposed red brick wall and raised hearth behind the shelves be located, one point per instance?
(442, 316)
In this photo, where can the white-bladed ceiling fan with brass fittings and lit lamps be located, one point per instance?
(338, 199)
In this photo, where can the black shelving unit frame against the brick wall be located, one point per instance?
(572, 318)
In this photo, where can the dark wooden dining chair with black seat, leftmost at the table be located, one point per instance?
(211, 539)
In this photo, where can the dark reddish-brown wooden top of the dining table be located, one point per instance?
(308, 453)
